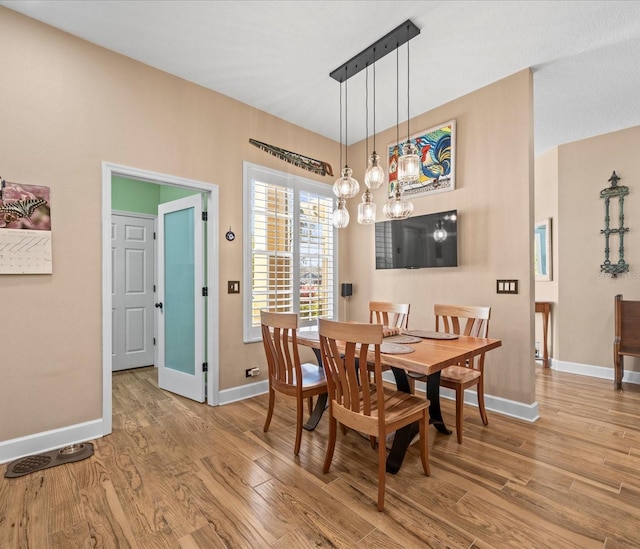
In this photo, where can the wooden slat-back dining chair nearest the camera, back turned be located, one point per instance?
(355, 401)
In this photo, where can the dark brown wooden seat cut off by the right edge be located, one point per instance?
(627, 335)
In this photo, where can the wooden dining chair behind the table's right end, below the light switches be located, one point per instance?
(469, 321)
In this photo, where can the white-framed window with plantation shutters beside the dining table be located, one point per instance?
(290, 253)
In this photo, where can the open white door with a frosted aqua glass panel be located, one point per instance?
(180, 302)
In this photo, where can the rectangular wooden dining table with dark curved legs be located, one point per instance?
(429, 357)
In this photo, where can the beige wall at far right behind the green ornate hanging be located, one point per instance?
(585, 297)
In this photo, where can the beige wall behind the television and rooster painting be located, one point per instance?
(494, 199)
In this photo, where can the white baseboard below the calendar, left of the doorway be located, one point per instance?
(39, 443)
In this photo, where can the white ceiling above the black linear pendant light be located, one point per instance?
(277, 55)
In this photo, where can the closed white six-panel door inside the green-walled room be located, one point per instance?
(132, 292)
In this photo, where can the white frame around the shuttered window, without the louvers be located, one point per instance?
(299, 184)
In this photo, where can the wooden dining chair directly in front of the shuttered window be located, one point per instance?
(286, 374)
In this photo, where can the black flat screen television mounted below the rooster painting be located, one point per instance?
(418, 242)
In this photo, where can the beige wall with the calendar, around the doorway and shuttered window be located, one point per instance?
(66, 106)
